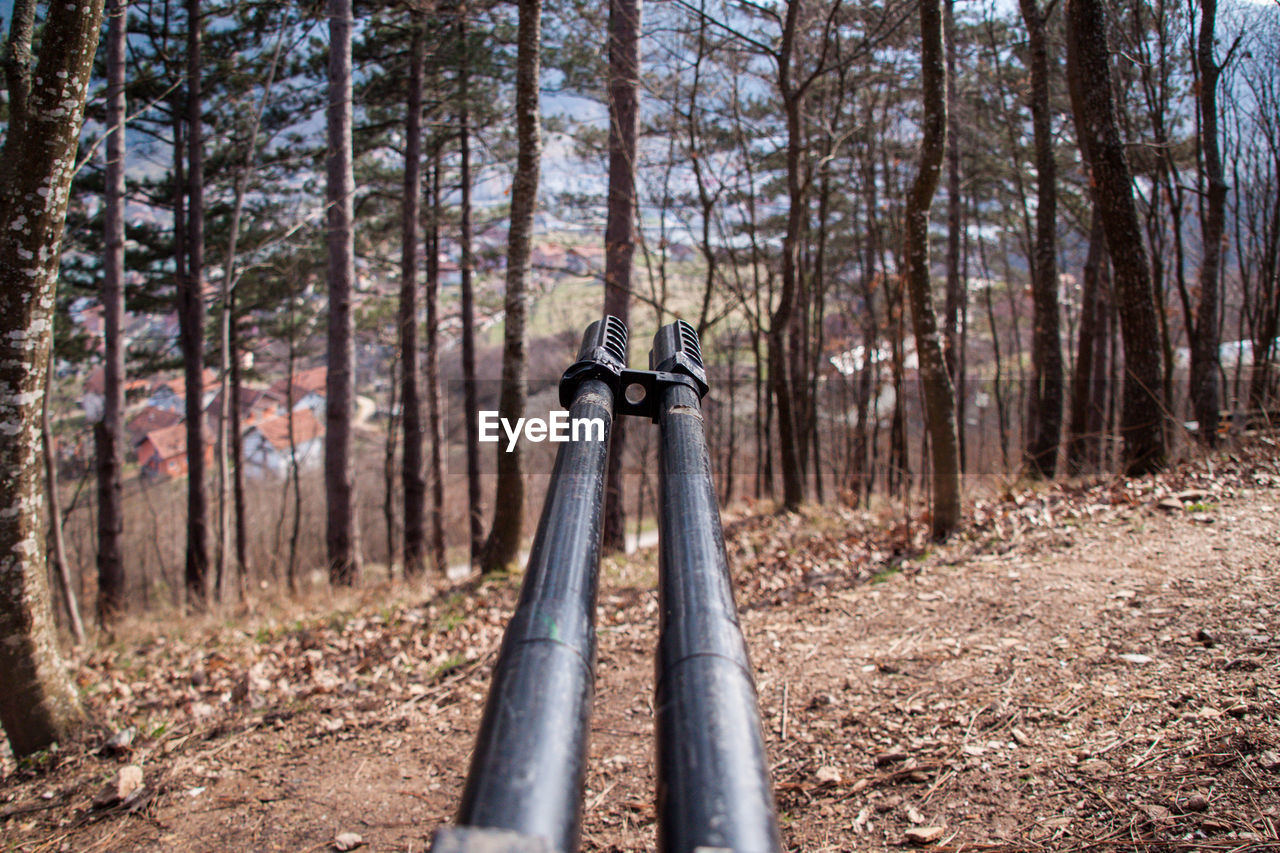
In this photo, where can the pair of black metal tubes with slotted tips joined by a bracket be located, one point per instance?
(524, 792)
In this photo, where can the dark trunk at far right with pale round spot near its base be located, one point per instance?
(1205, 341)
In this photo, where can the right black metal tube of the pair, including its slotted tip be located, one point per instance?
(714, 781)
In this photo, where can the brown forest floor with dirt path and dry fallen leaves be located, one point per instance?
(1086, 667)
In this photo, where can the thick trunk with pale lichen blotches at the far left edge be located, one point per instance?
(39, 704)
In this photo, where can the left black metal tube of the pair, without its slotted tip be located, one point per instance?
(531, 759)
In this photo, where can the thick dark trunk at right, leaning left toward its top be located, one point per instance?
(1089, 75)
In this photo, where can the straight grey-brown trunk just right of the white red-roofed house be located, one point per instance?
(342, 533)
